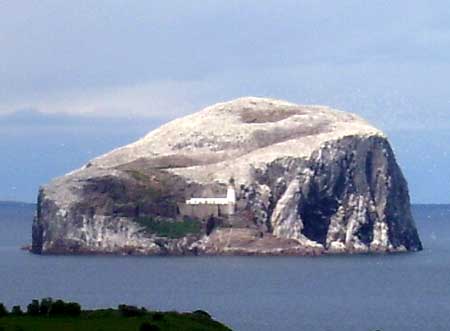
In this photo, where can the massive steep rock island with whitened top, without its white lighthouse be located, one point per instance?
(309, 180)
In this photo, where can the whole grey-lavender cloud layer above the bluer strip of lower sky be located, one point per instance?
(385, 60)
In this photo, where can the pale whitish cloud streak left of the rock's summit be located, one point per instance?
(166, 99)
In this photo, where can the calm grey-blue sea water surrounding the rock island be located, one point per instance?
(361, 292)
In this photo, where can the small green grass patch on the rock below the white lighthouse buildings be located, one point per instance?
(166, 227)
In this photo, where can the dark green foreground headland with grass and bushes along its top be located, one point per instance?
(49, 315)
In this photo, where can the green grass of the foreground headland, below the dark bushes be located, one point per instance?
(110, 320)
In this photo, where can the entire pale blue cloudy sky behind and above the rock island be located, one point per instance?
(80, 78)
